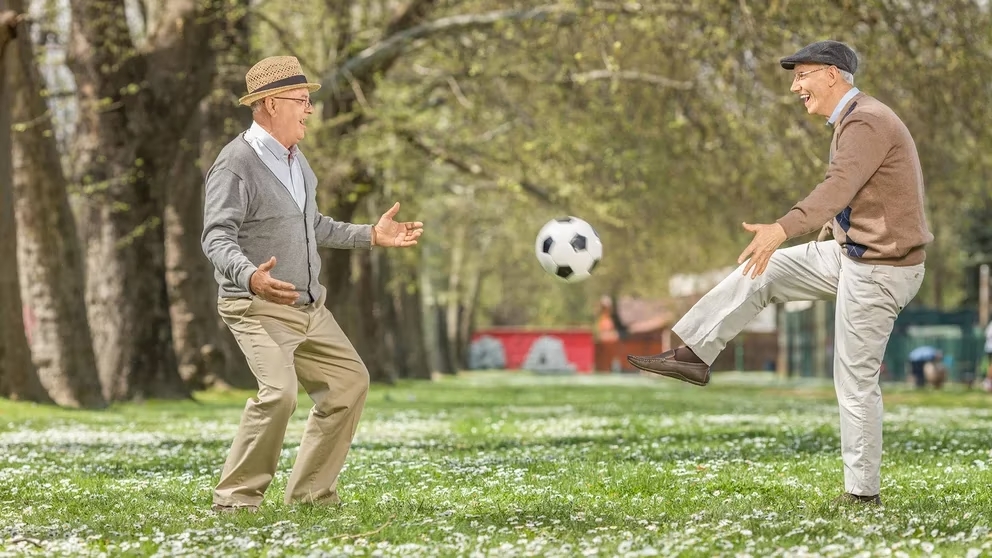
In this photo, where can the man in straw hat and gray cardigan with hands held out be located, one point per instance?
(261, 231)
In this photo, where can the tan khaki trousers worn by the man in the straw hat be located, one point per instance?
(285, 345)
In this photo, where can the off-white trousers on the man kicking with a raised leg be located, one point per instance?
(868, 299)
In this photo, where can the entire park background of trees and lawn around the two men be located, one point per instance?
(503, 419)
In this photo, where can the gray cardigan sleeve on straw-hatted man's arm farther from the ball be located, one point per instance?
(224, 209)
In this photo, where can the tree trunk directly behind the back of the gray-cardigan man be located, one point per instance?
(206, 351)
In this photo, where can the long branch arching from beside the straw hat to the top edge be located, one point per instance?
(380, 56)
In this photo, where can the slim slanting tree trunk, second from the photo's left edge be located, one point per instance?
(49, 256)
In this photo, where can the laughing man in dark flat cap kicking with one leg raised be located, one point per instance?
(872, 201)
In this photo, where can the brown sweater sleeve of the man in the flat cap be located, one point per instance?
(861, 148)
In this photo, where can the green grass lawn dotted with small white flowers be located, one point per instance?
(514, 465)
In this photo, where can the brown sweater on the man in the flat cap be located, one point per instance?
(872, 195)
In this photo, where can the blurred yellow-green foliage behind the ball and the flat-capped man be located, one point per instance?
(665, 127)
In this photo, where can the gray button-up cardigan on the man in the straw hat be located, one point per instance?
(249, 216)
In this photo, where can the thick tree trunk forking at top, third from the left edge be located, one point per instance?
(134, 107)
